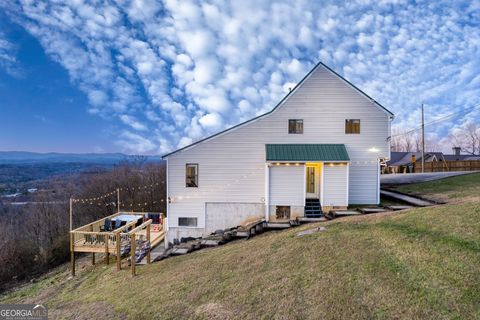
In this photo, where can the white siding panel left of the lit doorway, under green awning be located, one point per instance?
(287, 185)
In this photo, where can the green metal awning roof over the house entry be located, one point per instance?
(306, 152)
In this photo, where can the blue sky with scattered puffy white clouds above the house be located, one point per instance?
(150, 76)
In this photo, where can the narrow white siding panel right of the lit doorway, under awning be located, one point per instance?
(335, 180)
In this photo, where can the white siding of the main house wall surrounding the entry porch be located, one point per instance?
(232, 164)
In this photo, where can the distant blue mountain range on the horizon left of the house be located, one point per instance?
(34, 157)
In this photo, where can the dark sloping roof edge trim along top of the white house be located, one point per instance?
(279, 104)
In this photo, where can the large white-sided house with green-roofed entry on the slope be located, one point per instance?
(319, 149)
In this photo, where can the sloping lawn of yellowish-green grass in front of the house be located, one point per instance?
(422, 263)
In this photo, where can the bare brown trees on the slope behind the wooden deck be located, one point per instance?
(35, 236)
